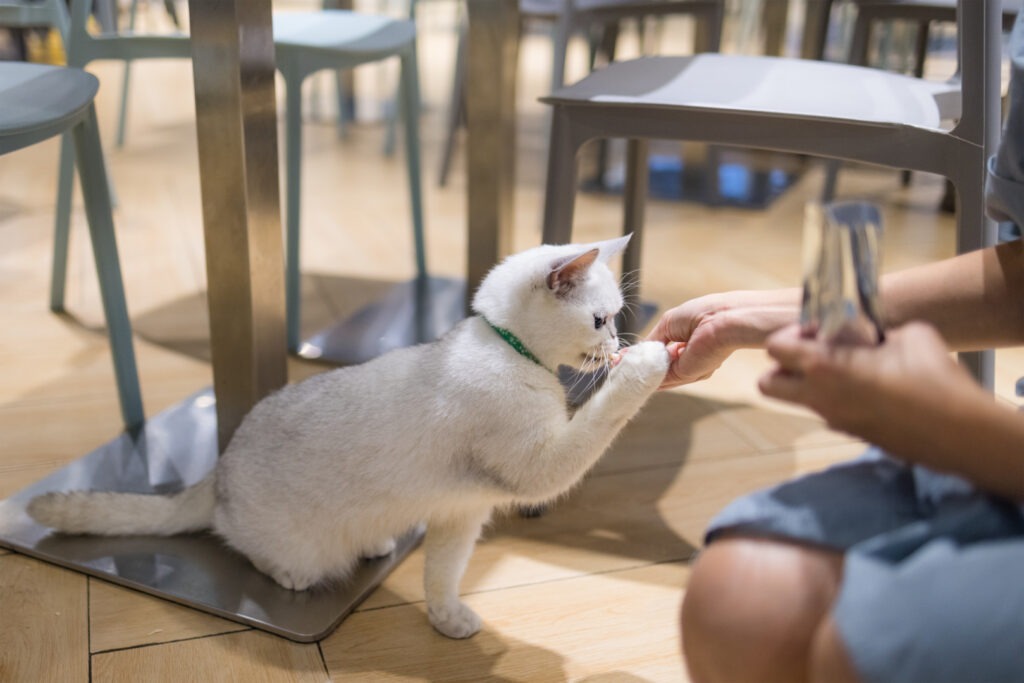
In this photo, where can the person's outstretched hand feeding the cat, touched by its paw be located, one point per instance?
(702, 333)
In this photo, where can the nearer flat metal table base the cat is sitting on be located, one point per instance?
(175, 450)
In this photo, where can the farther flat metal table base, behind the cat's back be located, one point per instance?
(412, 313)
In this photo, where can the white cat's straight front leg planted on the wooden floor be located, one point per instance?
(448, 546)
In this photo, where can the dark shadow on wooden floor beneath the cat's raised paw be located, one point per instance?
(631, 505)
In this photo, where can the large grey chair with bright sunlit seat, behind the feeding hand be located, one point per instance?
(796, 106)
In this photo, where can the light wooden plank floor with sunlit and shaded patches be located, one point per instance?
(589, 592)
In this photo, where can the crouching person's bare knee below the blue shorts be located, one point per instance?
(753, 609)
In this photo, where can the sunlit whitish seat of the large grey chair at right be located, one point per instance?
(787, 88)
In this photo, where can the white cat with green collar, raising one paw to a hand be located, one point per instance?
(334, 468)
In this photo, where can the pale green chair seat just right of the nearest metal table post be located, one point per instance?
(331, 31)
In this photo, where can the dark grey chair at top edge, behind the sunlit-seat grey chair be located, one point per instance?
(570, 18)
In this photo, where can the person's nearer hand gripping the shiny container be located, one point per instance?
(880, 394)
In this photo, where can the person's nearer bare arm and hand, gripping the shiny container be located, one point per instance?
(909, 397)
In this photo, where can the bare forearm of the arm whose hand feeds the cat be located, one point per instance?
(975, 301)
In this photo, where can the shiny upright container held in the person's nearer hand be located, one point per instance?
(841, 274)
